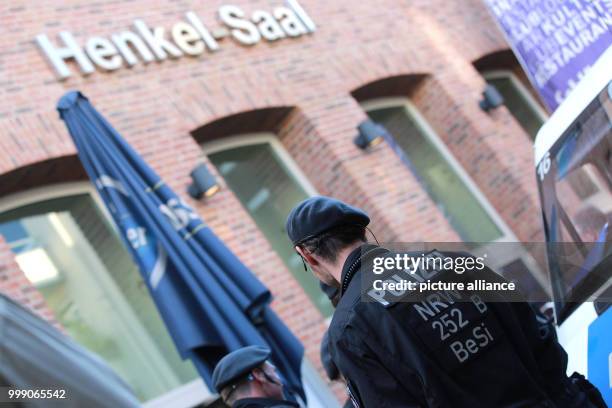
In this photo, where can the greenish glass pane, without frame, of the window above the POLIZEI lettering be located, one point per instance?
(444, 185)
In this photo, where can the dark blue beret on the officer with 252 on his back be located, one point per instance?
(316, 215)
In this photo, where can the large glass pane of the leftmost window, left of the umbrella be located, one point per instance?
(71, 255)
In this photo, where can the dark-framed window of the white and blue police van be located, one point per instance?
(578, 222)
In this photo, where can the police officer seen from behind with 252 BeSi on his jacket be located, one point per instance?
(395, 355)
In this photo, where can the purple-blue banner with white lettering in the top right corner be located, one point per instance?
(556, 41)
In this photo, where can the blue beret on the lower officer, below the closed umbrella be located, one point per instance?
(237, 364)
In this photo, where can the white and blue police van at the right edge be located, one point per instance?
(573, 159)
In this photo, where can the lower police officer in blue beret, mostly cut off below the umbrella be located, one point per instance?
(245, 379)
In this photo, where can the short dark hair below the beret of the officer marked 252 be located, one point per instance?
(329, 243)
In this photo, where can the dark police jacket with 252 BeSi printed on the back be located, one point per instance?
(393, 356)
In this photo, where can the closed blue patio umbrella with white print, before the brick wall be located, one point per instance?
(210, 302)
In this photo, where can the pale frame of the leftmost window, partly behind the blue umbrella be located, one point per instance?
(185, 396)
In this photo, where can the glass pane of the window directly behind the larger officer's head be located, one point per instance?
(267, 189)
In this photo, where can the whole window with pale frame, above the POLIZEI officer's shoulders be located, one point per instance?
(454, 193)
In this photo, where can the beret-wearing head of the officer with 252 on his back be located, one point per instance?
(323, 230)
